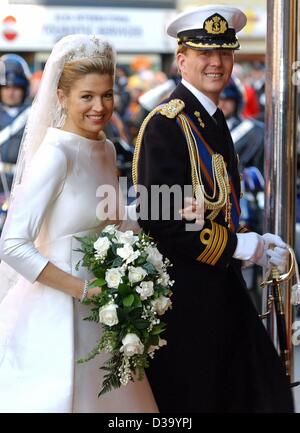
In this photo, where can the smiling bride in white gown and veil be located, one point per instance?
(64, 157)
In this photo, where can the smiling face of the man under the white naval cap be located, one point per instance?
(208, 70)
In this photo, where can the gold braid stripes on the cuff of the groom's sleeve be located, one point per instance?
(215, 243)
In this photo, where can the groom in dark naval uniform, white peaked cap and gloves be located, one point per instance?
(219, 357)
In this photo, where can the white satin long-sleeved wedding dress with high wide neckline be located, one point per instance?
(42, 333)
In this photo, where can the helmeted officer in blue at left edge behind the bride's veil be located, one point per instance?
(14, 107)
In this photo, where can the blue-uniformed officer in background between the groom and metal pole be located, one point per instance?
(248, 139)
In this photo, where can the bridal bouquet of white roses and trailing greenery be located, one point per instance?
(135, 293)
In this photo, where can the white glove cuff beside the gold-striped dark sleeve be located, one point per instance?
(250, 247)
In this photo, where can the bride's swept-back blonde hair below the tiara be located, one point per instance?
(76, 69)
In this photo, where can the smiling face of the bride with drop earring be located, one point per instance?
(88, 105)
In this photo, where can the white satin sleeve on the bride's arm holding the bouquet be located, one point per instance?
(47, 174)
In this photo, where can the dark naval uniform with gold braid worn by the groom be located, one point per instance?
(219, 357)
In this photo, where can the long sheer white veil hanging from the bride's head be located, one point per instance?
(46, 112)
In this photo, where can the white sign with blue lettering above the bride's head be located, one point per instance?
(38, 28)
